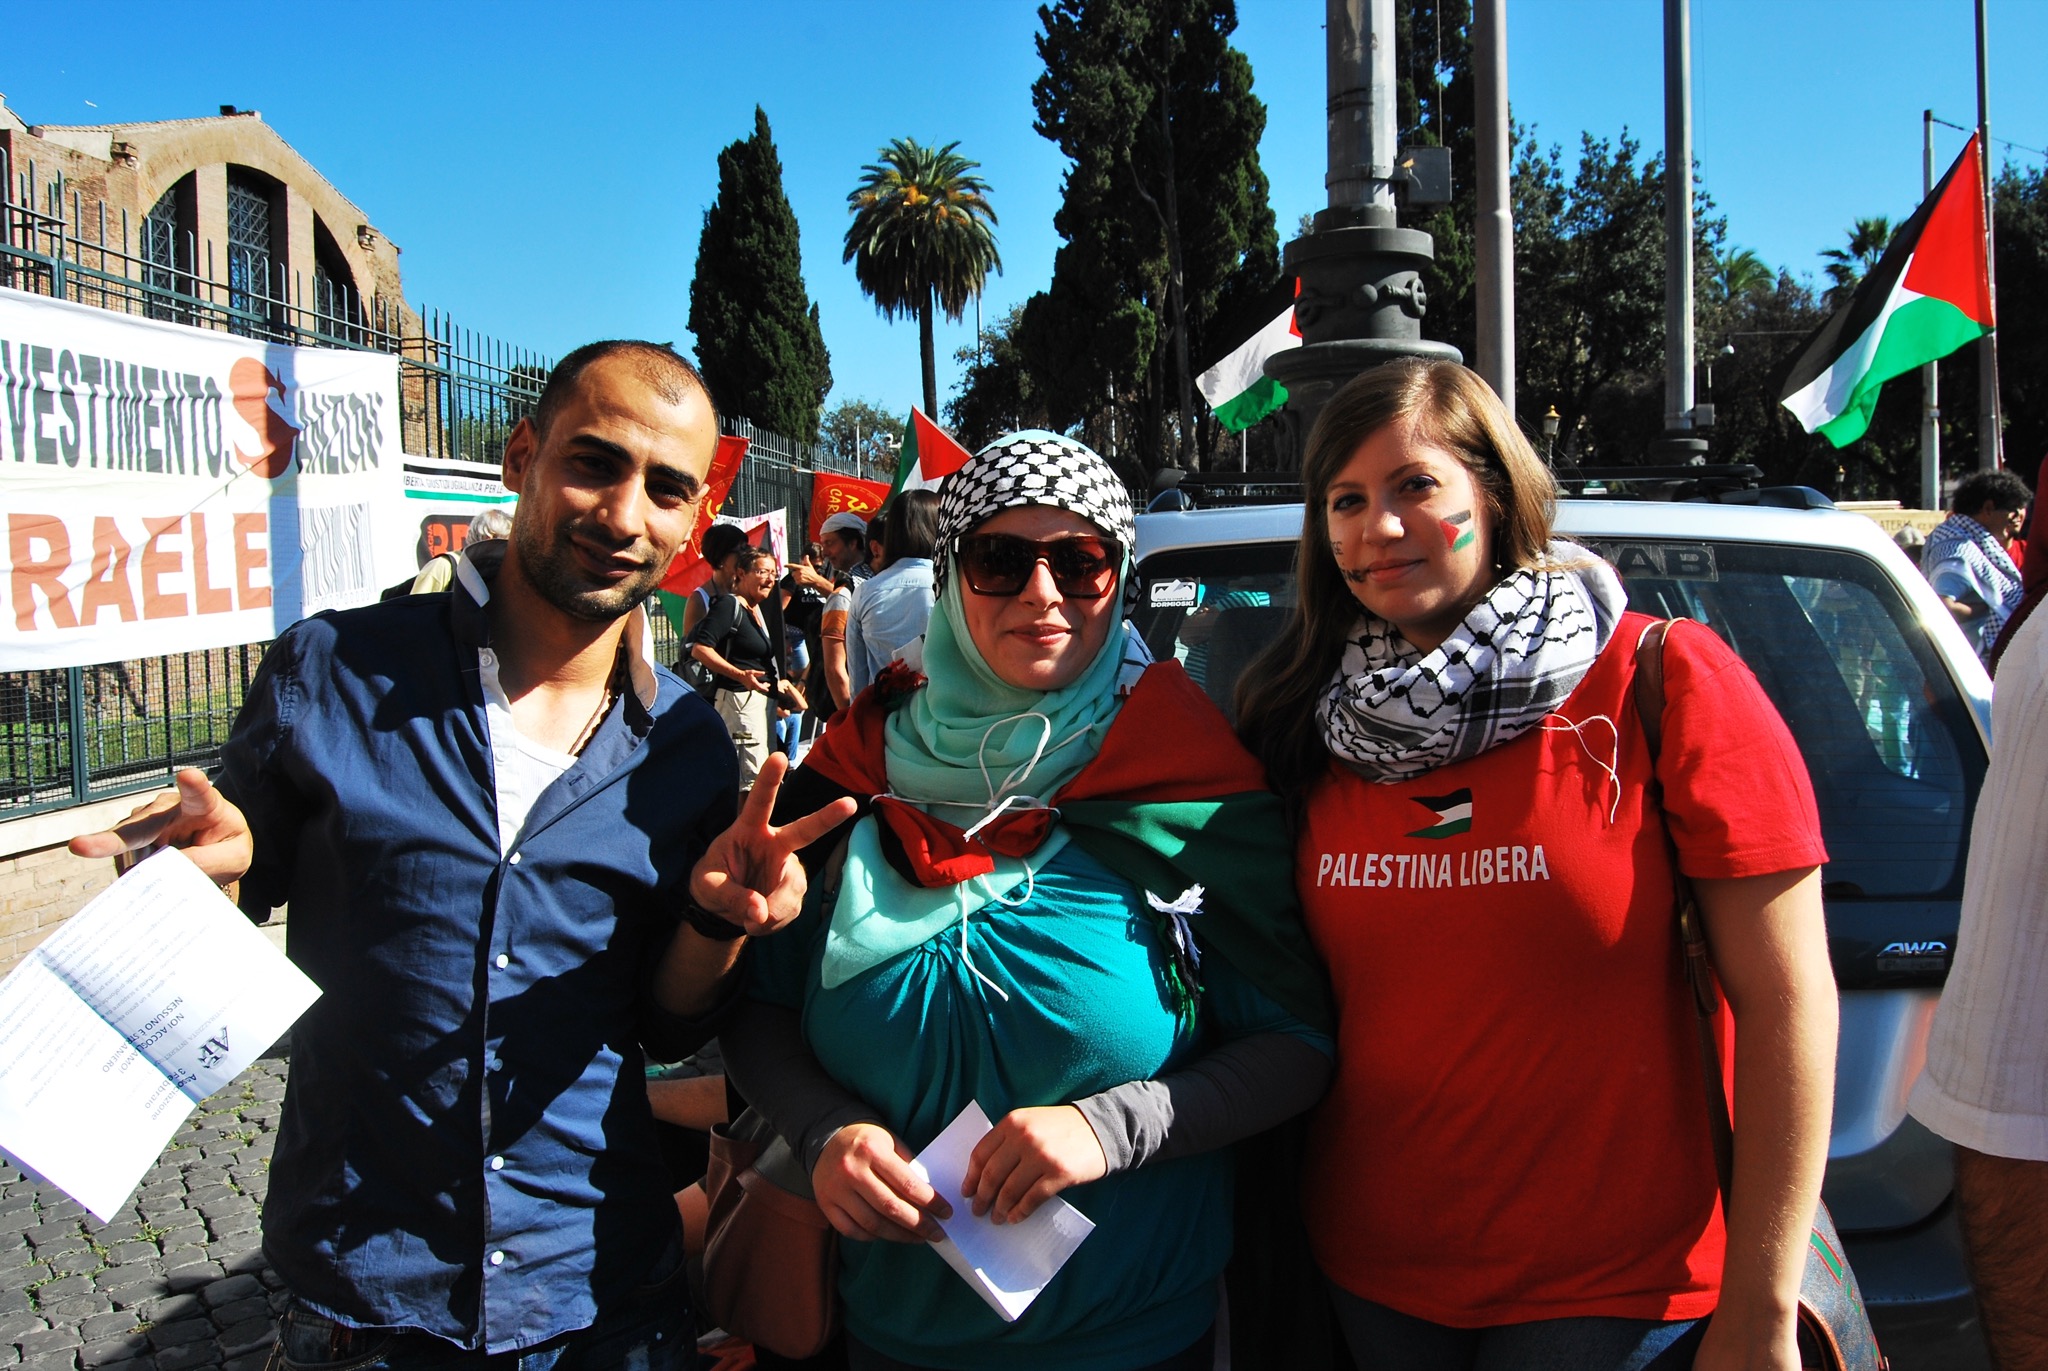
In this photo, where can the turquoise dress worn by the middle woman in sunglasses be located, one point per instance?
(921, 1036)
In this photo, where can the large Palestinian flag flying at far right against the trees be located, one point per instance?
(1928, 296)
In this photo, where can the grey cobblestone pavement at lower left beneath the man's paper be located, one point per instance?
(177, 1282)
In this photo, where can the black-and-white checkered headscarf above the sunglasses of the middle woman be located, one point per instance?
(1031, 468)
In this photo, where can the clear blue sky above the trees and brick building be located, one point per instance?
(546, 167)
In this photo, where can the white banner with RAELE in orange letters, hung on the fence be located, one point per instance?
(171, 489)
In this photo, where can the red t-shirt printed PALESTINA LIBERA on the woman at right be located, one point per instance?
(1519, 1126)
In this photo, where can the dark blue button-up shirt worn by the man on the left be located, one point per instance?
(466, 1142)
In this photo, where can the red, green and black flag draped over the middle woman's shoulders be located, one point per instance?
(1152, 808)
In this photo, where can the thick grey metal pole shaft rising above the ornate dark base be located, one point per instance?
(1361, 108)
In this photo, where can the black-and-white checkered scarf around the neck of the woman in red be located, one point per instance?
(1396, 712)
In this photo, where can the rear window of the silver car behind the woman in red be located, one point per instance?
(1891, 747)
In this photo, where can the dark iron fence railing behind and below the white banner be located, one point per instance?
(91, 733)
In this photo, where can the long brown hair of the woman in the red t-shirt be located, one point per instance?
(1443, 405)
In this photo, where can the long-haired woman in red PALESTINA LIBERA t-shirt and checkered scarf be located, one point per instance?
(1514, 1167)
